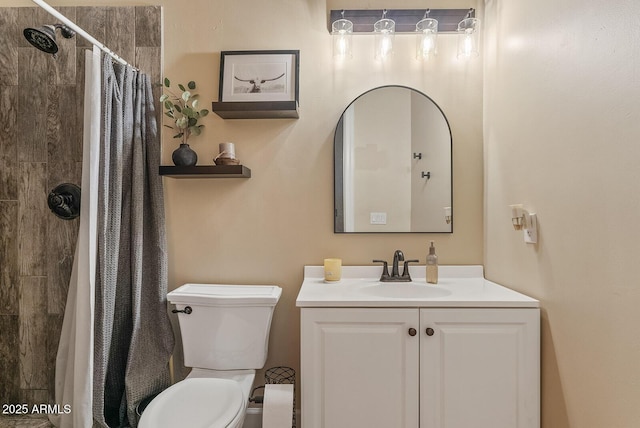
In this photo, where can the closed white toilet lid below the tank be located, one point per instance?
(195, 403)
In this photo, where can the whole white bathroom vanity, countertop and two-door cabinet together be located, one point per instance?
(464, 353)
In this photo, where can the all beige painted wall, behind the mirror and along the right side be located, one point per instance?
(561, 136)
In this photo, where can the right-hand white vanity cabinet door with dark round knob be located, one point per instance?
(480, 368)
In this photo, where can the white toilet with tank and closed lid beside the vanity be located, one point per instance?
(225, 337)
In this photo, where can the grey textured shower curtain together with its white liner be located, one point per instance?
(117, 339)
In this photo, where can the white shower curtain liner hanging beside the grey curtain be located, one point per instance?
(74, 362)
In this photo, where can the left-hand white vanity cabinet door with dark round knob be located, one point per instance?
(359, 368)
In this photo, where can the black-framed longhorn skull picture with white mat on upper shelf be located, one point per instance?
(254, 76)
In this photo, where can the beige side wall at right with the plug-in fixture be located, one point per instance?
(562, 134)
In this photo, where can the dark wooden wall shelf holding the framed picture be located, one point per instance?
(256, 110)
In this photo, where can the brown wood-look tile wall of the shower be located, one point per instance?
(41, 109)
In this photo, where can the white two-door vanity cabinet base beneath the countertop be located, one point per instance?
(420, 367)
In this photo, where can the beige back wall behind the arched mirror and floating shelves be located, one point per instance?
(266, 228)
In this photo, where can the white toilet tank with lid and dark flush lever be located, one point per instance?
(228, 327)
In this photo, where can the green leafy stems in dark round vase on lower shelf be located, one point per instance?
(184, 112)
